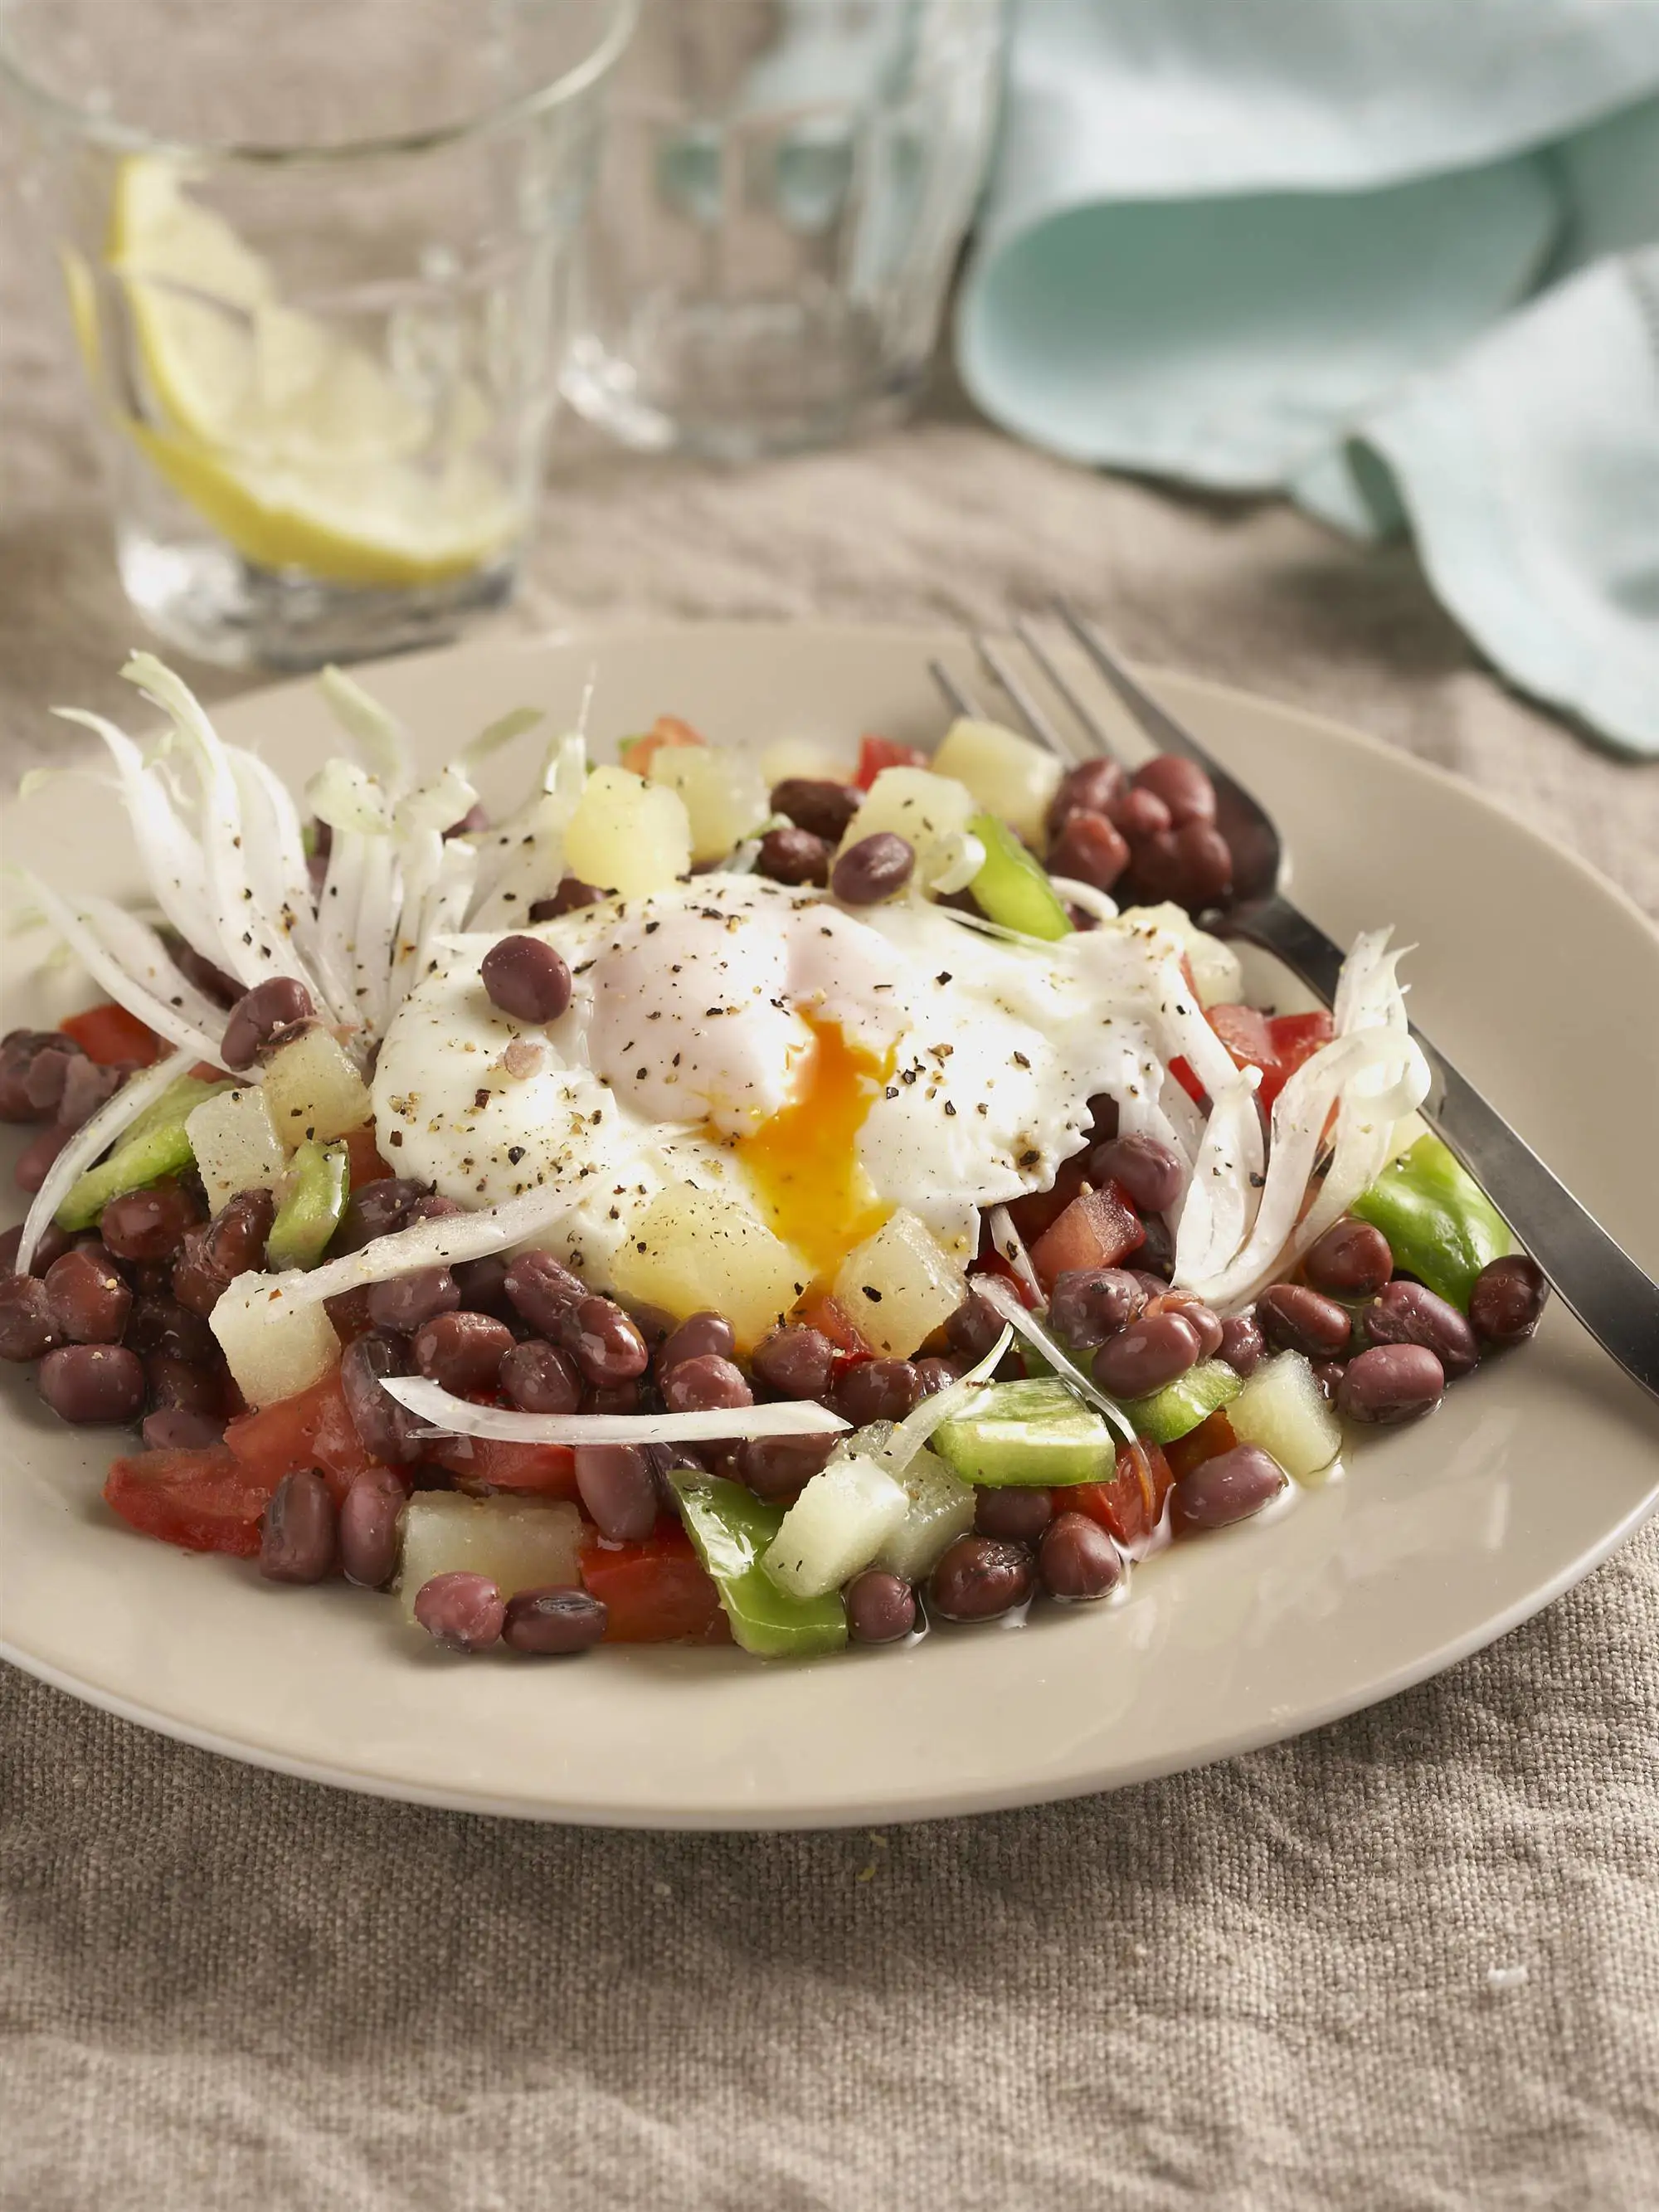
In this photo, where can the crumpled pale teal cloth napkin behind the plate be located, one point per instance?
(1397, 258)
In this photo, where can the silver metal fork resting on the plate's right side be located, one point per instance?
(1616, 1302)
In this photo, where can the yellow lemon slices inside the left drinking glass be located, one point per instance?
(278, 430)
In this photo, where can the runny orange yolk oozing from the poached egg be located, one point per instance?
(804, 1162)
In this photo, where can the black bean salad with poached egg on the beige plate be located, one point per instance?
(789, 1200)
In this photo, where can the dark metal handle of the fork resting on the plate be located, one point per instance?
(1592, 1275)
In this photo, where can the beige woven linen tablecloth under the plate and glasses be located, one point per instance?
(1266, 1985)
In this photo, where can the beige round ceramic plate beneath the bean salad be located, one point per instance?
(1530, 970)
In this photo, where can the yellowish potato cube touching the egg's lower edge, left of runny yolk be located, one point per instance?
(696, 1251)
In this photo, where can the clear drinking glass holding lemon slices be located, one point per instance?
(317, 262)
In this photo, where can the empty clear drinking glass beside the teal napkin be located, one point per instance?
(784, 194)
